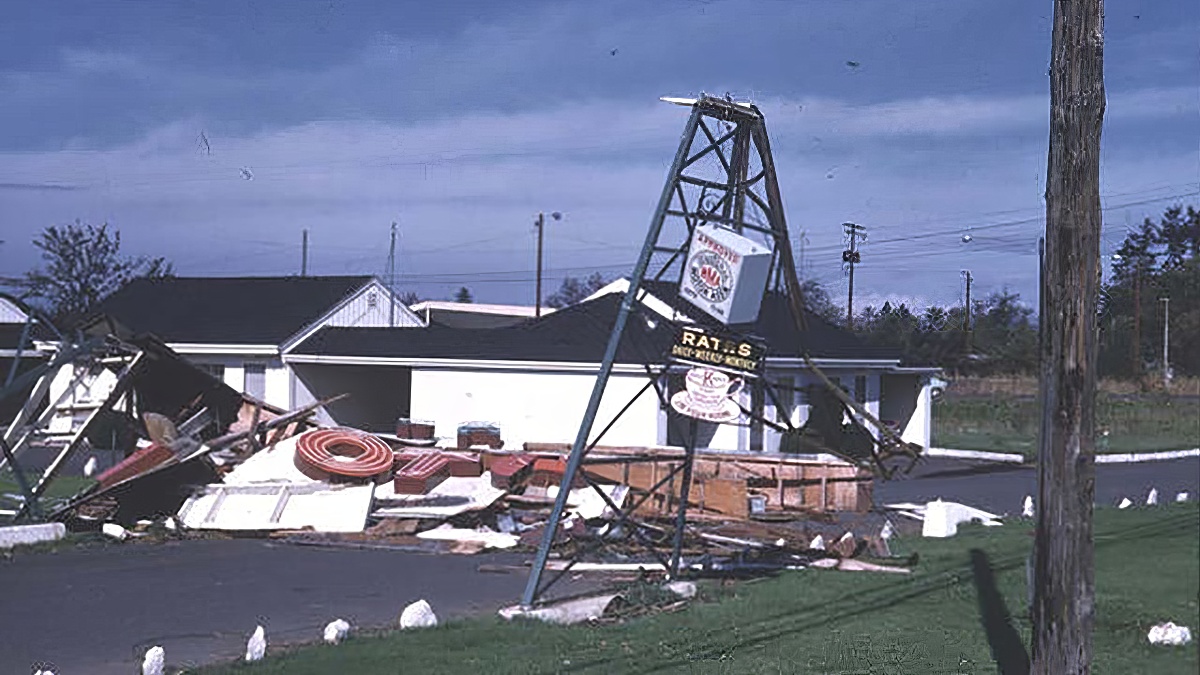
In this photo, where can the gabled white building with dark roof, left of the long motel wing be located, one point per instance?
(238, 328)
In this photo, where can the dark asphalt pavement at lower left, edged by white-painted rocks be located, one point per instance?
(98, 611)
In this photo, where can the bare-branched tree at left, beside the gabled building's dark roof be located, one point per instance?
(82, 266)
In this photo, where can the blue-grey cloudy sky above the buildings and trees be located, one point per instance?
(215, 133)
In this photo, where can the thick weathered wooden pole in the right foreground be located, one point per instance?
(1065, 583)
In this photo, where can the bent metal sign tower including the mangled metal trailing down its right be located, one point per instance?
(719, 240)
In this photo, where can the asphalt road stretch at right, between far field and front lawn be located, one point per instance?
(1001, 488)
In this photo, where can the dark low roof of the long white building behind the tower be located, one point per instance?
(580, 333)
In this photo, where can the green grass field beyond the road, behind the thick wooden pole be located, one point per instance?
(1010, 425)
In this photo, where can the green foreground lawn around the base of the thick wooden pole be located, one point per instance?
(1148, 570)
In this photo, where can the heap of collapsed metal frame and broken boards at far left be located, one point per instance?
(187, 414)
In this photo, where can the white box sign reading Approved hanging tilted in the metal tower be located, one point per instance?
(725, 274)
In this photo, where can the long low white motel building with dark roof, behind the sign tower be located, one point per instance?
(535, 379)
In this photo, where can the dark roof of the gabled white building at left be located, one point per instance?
(238, 310)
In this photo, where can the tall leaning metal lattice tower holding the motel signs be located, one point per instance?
(718, 240)
